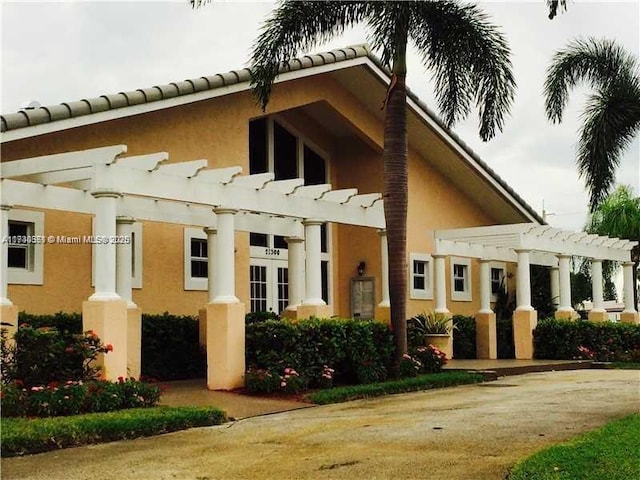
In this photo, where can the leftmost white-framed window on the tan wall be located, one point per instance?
(25, 249)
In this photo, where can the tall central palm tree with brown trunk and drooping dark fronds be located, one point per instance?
(470, 62)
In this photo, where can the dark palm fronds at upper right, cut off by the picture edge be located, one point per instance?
(611, 118)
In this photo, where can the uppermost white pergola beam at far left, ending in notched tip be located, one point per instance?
(62, 161)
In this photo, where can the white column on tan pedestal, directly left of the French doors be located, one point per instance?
(224, 257)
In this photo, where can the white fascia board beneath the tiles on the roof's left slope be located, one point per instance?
(41, 129)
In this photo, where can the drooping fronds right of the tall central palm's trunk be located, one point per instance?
(469, 59)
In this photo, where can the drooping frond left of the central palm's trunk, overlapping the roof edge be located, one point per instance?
(295, 26)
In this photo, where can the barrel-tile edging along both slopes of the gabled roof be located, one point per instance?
(47, 114)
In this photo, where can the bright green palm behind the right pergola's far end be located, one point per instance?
(618, 215)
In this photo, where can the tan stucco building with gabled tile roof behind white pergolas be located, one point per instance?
(324, 125)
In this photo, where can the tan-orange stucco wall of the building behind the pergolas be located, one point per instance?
(217, 129)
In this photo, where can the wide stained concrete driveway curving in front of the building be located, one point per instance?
(469, 432)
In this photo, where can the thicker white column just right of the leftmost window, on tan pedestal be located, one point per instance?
(105, 249)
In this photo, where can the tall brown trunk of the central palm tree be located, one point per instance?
(396, 200)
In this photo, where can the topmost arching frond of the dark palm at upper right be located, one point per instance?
(595, 62)
